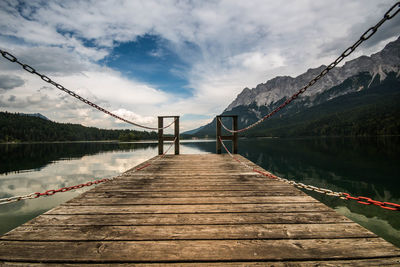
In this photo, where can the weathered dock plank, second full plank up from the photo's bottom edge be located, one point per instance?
(187, 232)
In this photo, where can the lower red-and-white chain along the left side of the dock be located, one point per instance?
(66, 189)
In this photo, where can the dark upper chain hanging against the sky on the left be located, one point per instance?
(31, 70)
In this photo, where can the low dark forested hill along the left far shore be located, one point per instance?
(16, 127)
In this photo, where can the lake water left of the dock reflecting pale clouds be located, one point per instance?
(28, 168)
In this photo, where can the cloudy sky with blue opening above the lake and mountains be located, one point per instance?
(143, 59)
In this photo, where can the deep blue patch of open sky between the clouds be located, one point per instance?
(148, 59)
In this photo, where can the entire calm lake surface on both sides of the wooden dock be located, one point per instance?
(360, 166)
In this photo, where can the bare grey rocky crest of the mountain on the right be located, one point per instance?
(387, 60)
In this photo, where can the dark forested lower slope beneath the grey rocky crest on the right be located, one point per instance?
(372, 111)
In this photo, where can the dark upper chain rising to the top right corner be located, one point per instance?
(366, 35)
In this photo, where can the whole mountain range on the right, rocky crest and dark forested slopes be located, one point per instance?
(361, 97)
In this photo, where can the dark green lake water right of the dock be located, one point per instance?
(361, 167)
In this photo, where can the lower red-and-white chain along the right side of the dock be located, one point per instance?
(342, 195)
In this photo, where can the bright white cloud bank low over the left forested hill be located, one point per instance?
(103, 87)
